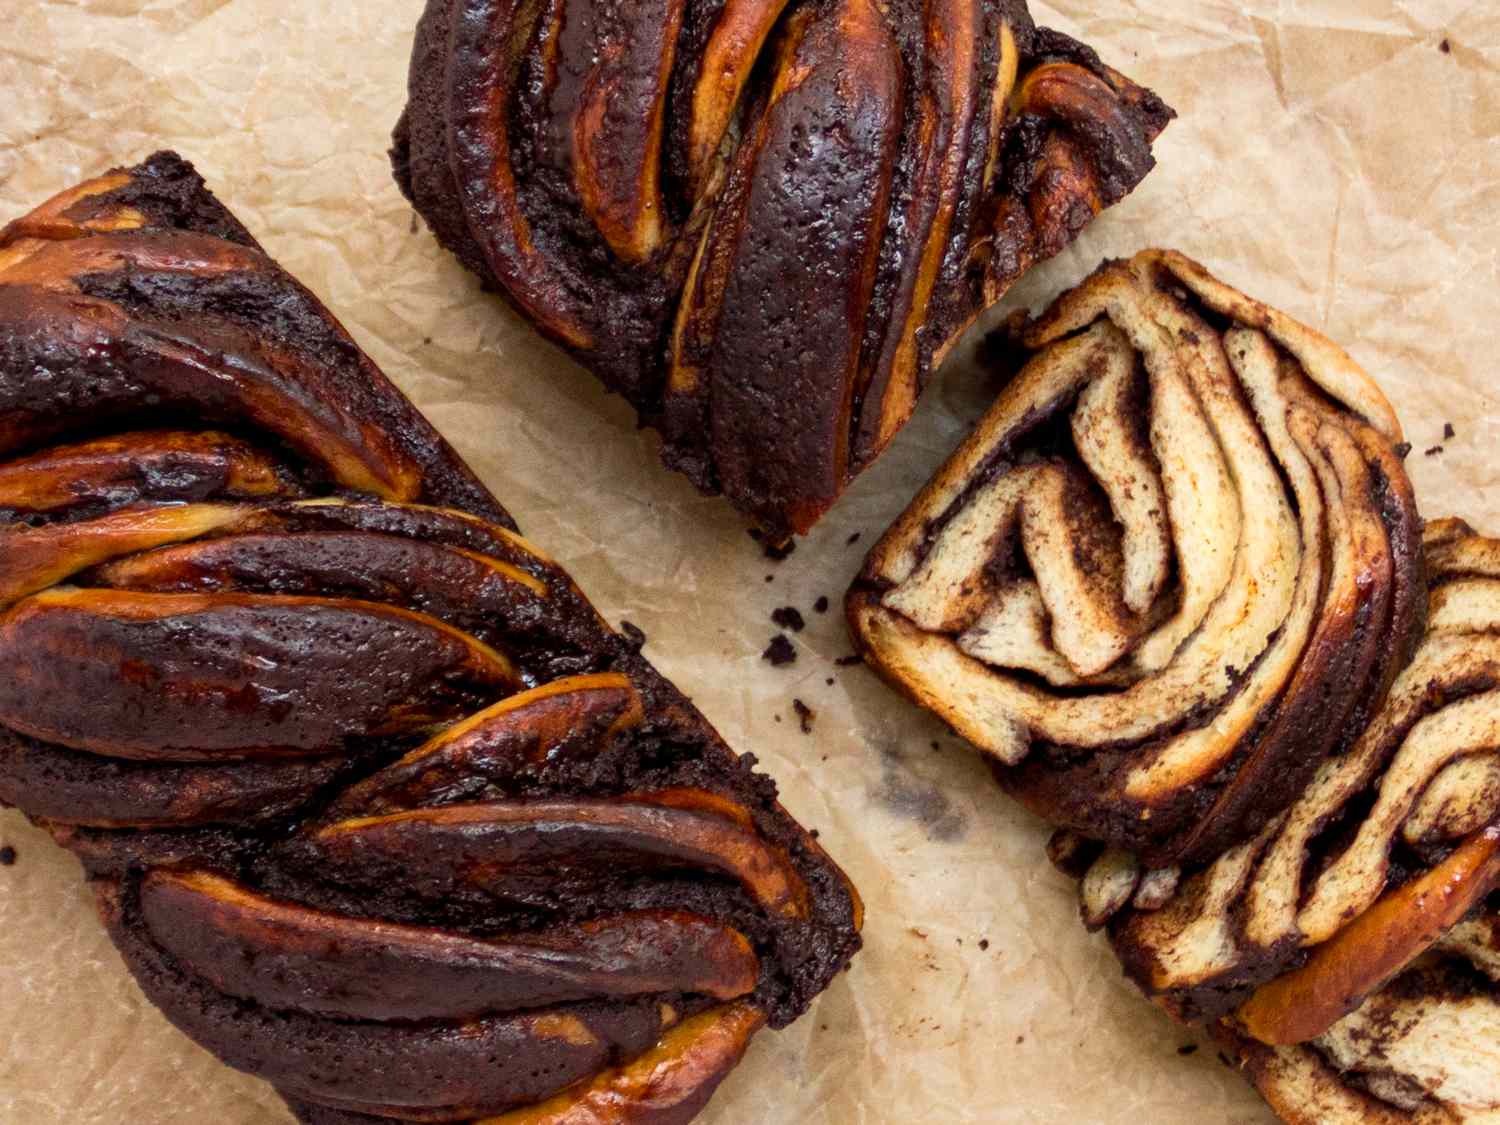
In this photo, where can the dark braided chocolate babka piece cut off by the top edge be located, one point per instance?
(763, 221)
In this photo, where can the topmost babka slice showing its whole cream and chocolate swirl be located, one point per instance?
(1171, 572)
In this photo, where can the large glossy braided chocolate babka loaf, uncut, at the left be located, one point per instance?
(376, 805)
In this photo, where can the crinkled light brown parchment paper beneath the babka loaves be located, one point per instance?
(1339, 158)
